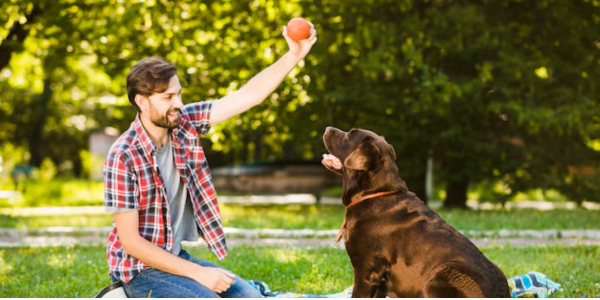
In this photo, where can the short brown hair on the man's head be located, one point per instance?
(148, 76)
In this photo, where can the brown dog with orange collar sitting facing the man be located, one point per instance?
(398, 246)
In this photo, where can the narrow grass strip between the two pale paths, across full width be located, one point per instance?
(331, 217)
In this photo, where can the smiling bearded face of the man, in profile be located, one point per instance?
(164, 107)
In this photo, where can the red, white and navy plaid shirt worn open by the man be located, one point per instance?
(132, 180)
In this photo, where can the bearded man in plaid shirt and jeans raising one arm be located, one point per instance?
(159, 187)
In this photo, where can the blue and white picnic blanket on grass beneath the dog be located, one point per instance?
(532, 284)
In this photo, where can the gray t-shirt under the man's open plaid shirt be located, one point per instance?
(182, 213)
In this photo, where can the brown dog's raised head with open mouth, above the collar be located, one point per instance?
(368, 162)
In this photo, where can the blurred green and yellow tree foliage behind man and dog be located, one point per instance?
(489, 101)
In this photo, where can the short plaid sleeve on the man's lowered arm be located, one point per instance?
(119, 184)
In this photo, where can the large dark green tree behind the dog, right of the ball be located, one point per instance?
(478, 84)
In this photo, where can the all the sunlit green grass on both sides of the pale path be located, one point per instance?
(81, 271)
